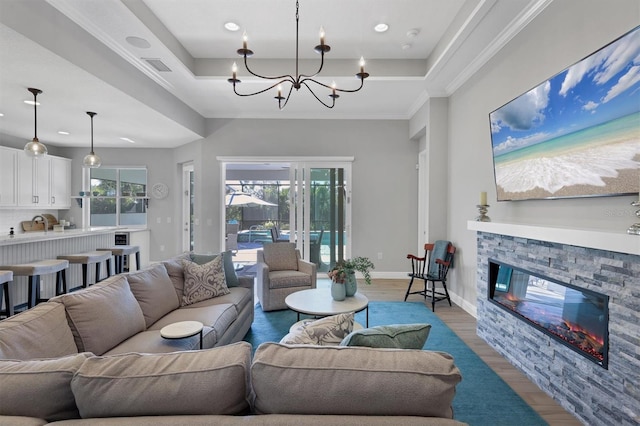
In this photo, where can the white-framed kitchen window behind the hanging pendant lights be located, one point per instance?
(119, 197)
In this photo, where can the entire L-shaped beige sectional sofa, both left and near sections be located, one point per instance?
(95, 357)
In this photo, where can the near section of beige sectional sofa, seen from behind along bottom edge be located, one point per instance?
(281, 385)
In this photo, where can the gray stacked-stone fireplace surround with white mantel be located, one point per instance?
(596, 396)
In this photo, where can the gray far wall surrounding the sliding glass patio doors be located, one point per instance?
(384, 175)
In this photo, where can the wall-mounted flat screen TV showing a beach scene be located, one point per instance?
(576, 134)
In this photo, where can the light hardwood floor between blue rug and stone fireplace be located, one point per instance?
(464, 325)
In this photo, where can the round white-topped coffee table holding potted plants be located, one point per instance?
(318, 302)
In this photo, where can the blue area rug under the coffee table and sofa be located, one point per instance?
(482, 398)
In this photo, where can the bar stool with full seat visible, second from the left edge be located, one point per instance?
(34, 270)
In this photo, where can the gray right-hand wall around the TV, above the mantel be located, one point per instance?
(565, 32)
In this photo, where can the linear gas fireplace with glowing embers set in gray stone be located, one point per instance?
(574, 316)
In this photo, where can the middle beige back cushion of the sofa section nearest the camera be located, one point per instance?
(211, 381)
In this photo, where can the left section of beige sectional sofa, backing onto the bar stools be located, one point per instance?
(125, 313)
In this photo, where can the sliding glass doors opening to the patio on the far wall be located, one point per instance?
(309, 202)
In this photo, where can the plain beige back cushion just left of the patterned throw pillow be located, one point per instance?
(154, 291)
